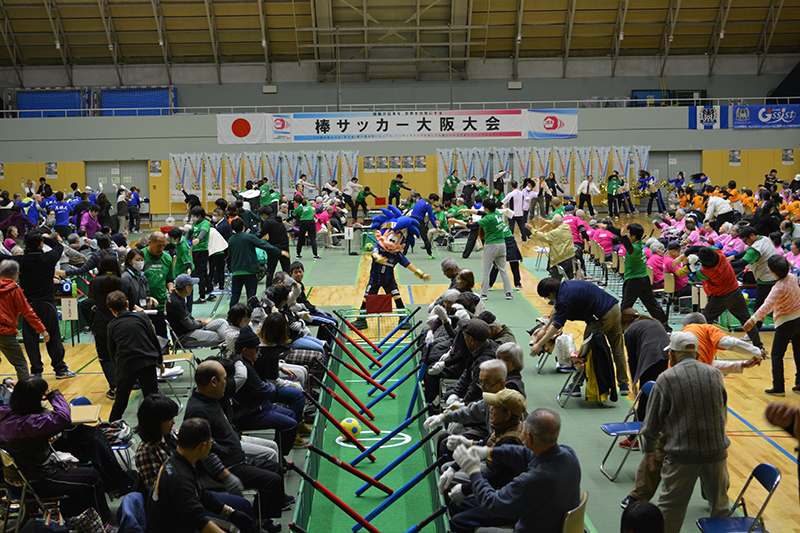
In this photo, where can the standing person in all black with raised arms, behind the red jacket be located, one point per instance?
(36, 279)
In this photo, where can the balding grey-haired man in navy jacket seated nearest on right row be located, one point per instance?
(549, 485)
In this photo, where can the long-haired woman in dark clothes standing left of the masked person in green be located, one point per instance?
(108, 281)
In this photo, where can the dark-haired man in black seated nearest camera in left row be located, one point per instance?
(178, 502)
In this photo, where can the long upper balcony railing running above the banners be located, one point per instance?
(592, 103)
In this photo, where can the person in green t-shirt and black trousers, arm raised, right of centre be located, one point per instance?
(637, 284)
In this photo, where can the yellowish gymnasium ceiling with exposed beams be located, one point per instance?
(386, 39)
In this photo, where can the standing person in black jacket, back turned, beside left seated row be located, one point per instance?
(135, 350)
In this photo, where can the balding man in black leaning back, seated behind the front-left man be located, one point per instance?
(264, 475)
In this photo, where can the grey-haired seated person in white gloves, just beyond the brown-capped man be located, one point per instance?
(473, 418)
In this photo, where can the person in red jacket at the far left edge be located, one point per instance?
(12, 304)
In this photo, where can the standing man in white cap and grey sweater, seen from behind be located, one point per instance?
(689, 404)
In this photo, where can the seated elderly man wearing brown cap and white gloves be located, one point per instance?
(505, 409)
